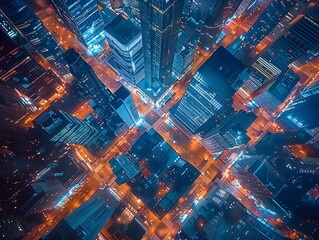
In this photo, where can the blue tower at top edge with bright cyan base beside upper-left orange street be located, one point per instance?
(83, 18)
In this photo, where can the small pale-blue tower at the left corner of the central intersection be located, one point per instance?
(125, 107)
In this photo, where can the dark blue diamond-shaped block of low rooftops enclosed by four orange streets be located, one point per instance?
(161, 168)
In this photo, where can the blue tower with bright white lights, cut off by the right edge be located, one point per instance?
(300, 113)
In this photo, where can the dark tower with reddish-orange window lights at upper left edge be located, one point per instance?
(19, 71)
